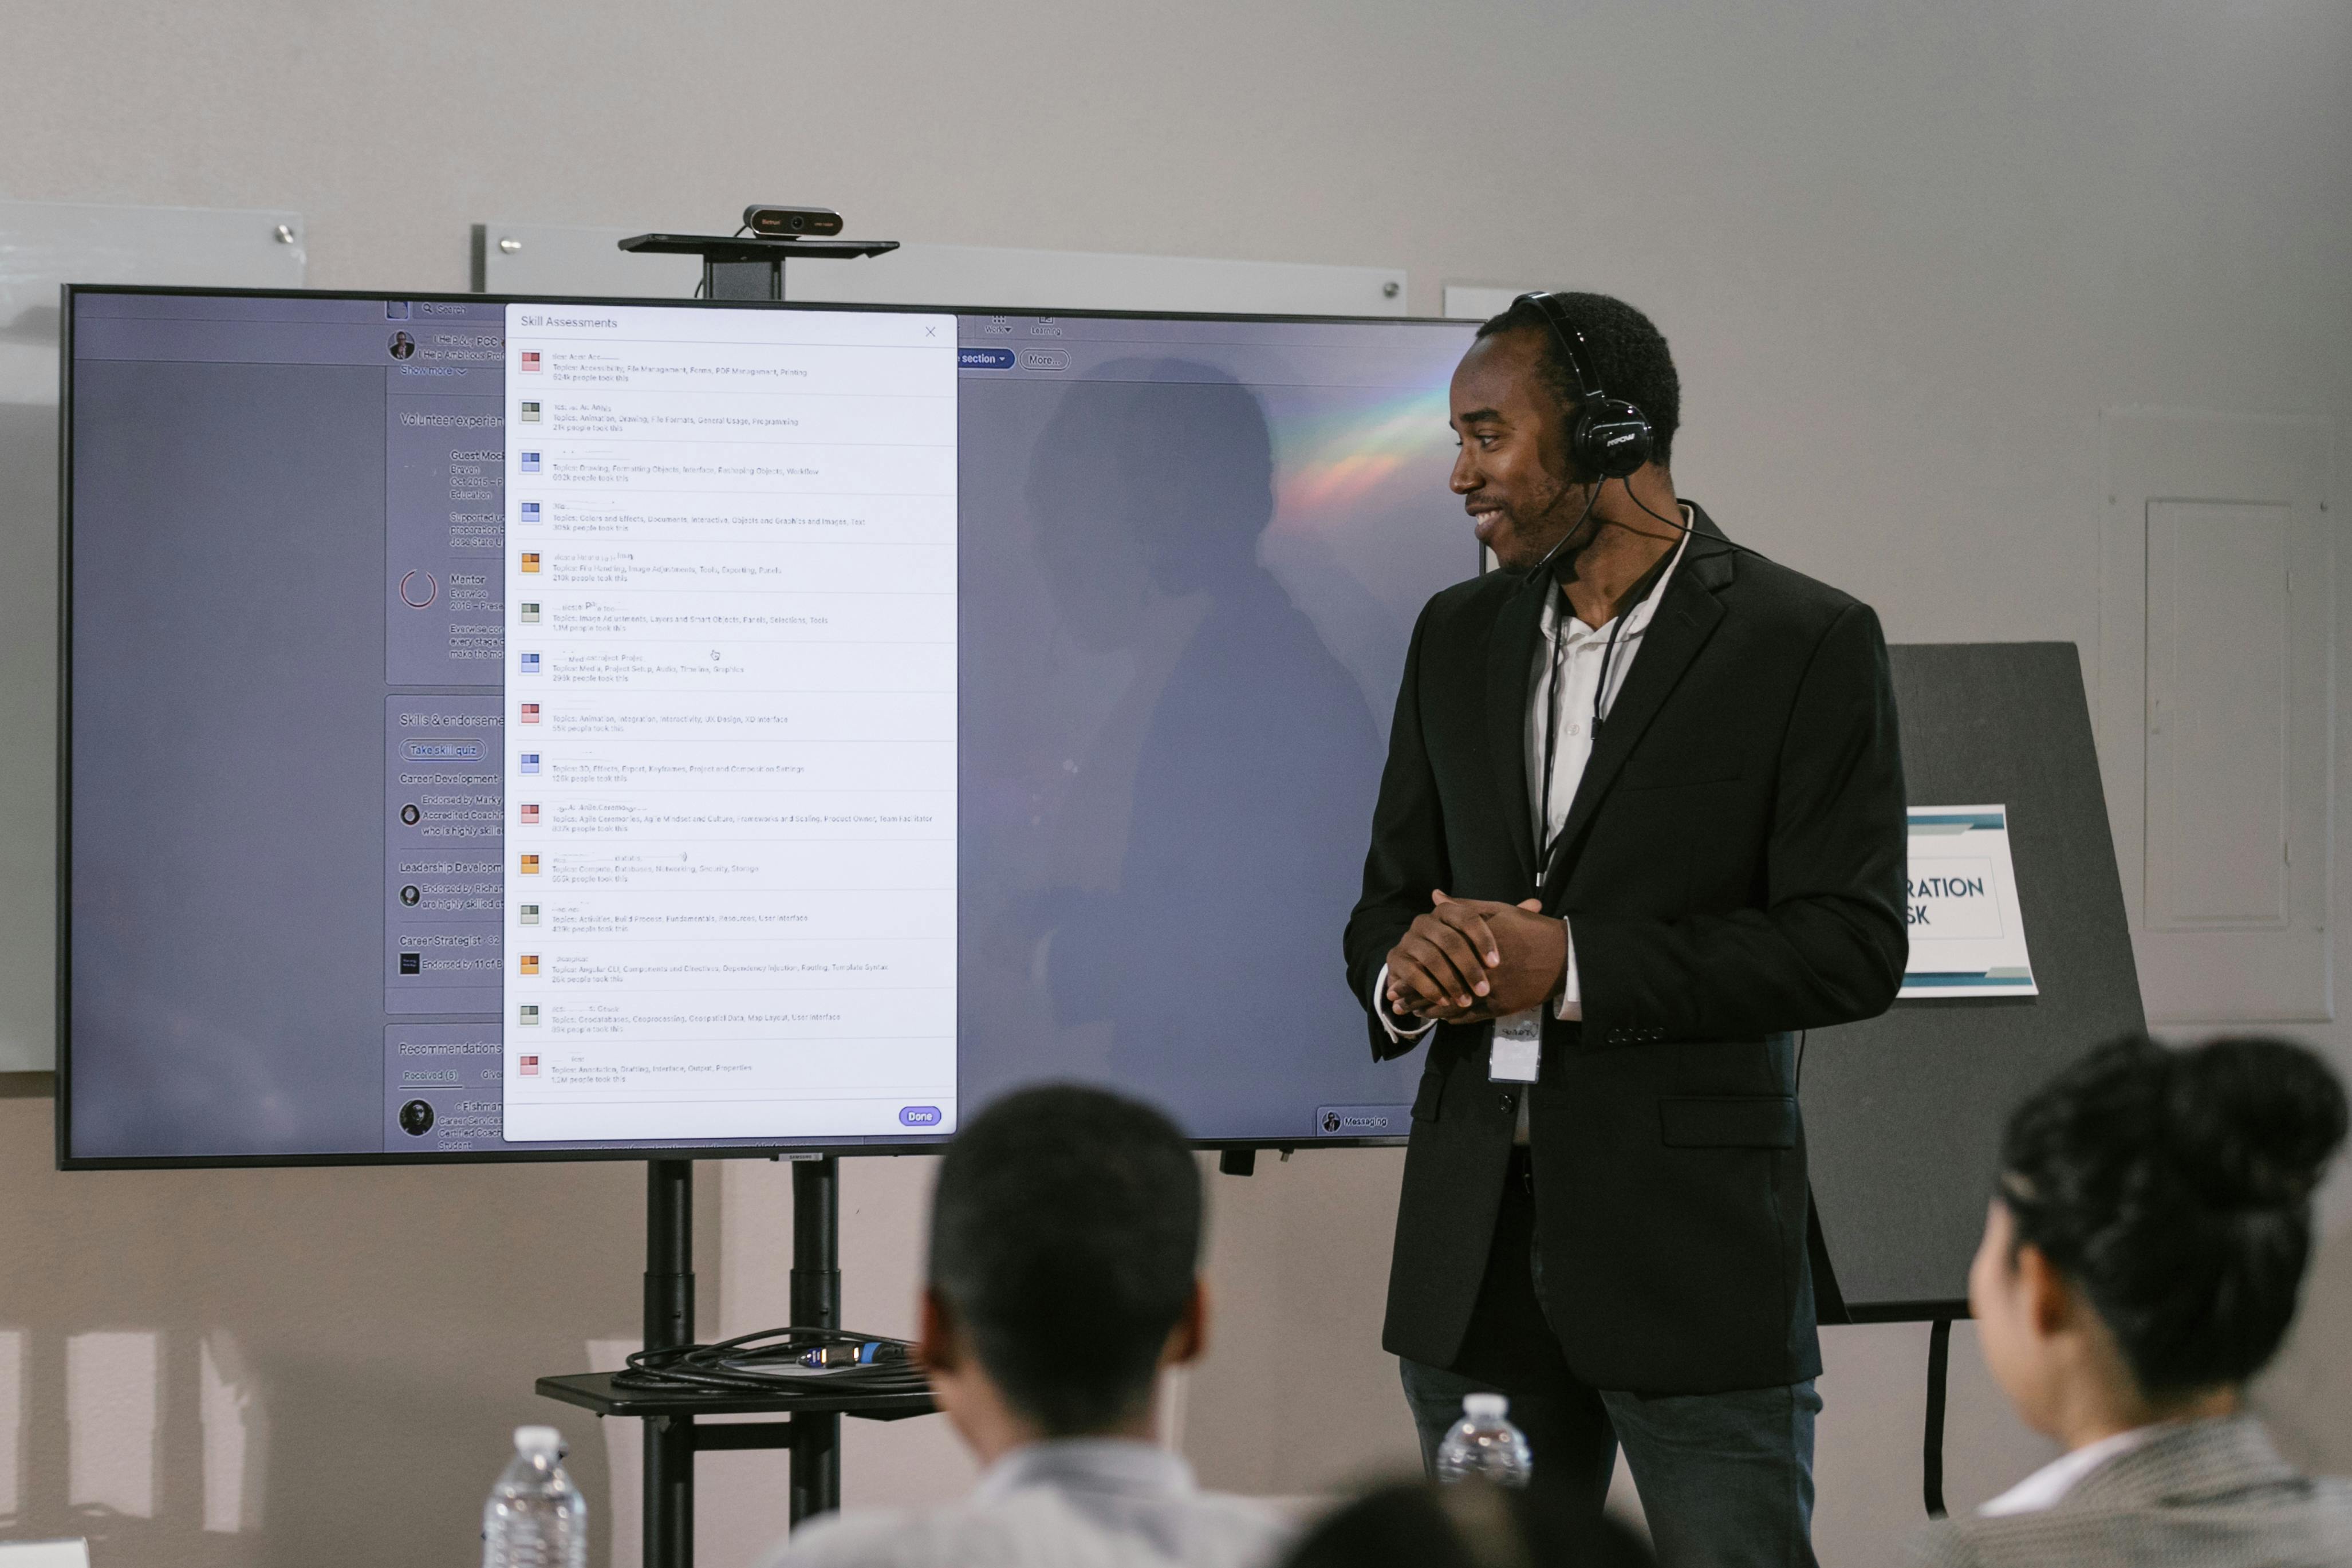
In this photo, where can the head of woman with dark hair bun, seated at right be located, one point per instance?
(2146, 1247)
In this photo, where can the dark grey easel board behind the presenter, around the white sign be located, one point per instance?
(1904, 1113)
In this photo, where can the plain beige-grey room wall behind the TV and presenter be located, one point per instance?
(1906, 253)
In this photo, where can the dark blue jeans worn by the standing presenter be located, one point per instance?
(1728, 1480)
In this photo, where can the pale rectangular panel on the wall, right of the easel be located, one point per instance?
(2217, 713)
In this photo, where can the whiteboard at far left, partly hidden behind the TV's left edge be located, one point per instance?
(41, 248)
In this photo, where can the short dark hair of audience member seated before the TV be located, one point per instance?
(1067, 1240)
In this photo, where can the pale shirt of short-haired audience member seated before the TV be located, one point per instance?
(1069, 1503)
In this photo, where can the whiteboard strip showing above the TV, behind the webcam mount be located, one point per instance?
(561, 260)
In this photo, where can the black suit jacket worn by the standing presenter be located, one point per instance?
(1732, 873)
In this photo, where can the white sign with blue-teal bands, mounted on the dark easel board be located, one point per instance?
(1967, 937)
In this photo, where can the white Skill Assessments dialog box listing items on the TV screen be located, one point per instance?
(730, 723)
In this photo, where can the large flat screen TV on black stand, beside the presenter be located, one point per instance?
(519, 728)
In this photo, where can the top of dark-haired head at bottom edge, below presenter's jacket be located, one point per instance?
(1464, 1527)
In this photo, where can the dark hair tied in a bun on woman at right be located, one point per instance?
(2174, 1188)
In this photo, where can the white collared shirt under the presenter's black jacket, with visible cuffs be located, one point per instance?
(1579, 652)
